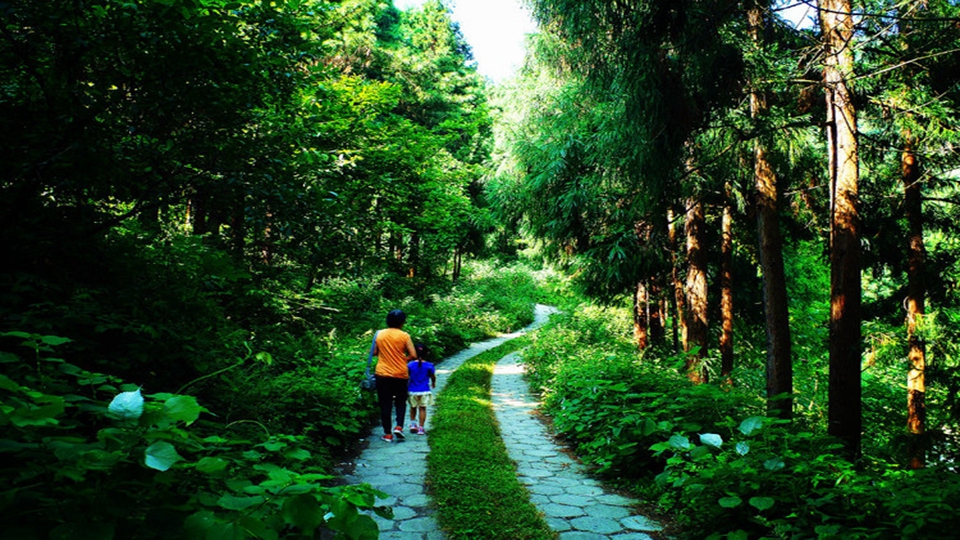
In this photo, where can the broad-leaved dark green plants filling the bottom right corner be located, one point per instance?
(761, 477)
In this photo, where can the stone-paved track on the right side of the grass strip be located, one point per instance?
(575, 505)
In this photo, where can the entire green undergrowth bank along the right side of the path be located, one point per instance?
(709, 458)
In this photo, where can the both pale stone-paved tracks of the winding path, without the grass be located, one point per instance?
(575, 506)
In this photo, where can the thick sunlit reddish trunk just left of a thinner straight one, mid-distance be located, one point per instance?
(696, 335)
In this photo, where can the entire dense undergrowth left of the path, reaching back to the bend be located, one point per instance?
(215, 409)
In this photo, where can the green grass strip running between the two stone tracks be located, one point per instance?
(471, 478)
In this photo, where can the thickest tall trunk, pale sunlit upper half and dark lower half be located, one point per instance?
(844, 395)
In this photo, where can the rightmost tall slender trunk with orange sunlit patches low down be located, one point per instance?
(916, 352)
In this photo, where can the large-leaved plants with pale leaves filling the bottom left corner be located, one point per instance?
(149, 466)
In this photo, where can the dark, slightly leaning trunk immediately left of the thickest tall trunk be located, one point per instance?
(776, 310)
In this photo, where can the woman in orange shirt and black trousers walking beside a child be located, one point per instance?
(393, 350)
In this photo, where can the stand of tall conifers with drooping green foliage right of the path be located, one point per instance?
(656, 106)
